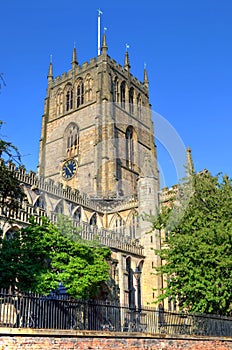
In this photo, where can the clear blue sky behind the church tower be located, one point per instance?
(186, 46)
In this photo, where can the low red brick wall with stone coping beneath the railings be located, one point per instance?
(14, 339)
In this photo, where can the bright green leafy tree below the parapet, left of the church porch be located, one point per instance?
(38, 257)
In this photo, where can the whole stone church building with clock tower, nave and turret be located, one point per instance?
(98, 165)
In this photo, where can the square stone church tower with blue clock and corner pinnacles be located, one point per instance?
(97, 127)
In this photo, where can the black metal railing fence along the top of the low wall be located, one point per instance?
(62, 312)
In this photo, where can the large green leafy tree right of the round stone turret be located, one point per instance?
(198, 251)
